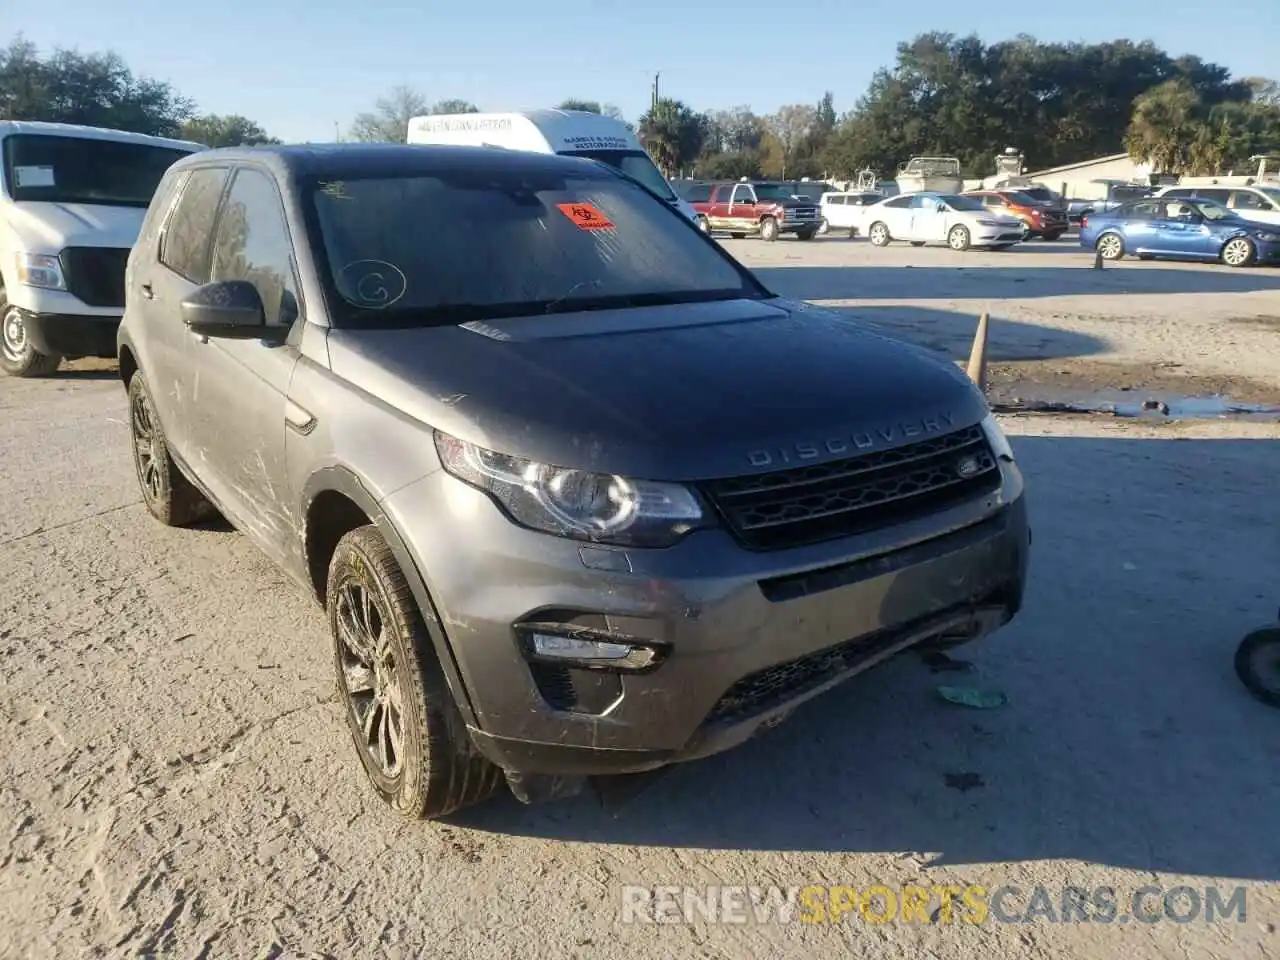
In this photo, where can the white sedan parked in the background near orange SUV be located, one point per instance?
(939, 218)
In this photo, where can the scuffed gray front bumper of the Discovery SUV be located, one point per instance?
(747, 636)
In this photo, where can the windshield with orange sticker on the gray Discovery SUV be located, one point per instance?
(420, 250)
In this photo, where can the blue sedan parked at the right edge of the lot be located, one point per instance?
(1181, 230)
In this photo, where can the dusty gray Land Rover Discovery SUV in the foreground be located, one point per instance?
(579, 496)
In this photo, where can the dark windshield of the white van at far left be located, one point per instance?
(84, 171)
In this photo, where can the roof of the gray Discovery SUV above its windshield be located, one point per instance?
(353, 161)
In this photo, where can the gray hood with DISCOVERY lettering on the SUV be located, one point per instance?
(683, 392)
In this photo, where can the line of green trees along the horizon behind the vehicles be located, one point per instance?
(944, 95)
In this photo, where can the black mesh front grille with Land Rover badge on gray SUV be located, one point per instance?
(845, 497)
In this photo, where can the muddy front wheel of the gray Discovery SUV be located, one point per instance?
(409, 734)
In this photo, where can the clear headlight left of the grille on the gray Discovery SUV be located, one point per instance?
(575, 504)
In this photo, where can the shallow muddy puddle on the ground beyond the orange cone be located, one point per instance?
(1136, 404)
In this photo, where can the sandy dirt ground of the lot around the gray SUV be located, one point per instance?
(176, 779)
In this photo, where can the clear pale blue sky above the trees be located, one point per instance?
(300, 66)
